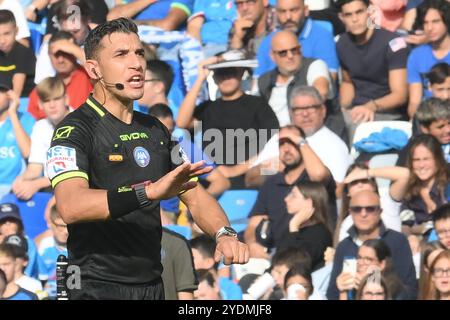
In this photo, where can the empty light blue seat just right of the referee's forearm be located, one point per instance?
(237, 204)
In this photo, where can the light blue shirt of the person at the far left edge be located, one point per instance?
(11, 160)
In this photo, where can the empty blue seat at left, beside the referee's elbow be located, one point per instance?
(31, 211)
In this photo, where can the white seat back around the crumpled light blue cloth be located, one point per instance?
(366, 128)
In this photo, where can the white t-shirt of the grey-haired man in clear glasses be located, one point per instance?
(326, 144)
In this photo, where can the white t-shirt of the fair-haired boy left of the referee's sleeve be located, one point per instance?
(41, 137)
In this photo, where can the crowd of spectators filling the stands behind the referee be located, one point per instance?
(336, 113)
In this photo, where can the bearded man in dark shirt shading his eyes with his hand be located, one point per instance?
(301, 164)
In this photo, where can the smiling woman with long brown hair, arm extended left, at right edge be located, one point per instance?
(421, 187)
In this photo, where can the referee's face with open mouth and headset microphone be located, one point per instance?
(121, 60)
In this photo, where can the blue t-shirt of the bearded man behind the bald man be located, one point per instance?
(316, 41)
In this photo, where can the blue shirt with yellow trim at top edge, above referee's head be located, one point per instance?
(160, 9)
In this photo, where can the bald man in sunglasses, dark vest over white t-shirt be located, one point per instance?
(292, 70)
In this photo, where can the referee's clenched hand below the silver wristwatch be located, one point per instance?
(232, 250)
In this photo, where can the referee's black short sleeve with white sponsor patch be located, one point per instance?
(69, 152)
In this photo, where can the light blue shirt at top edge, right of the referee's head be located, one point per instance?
(219, 16)
